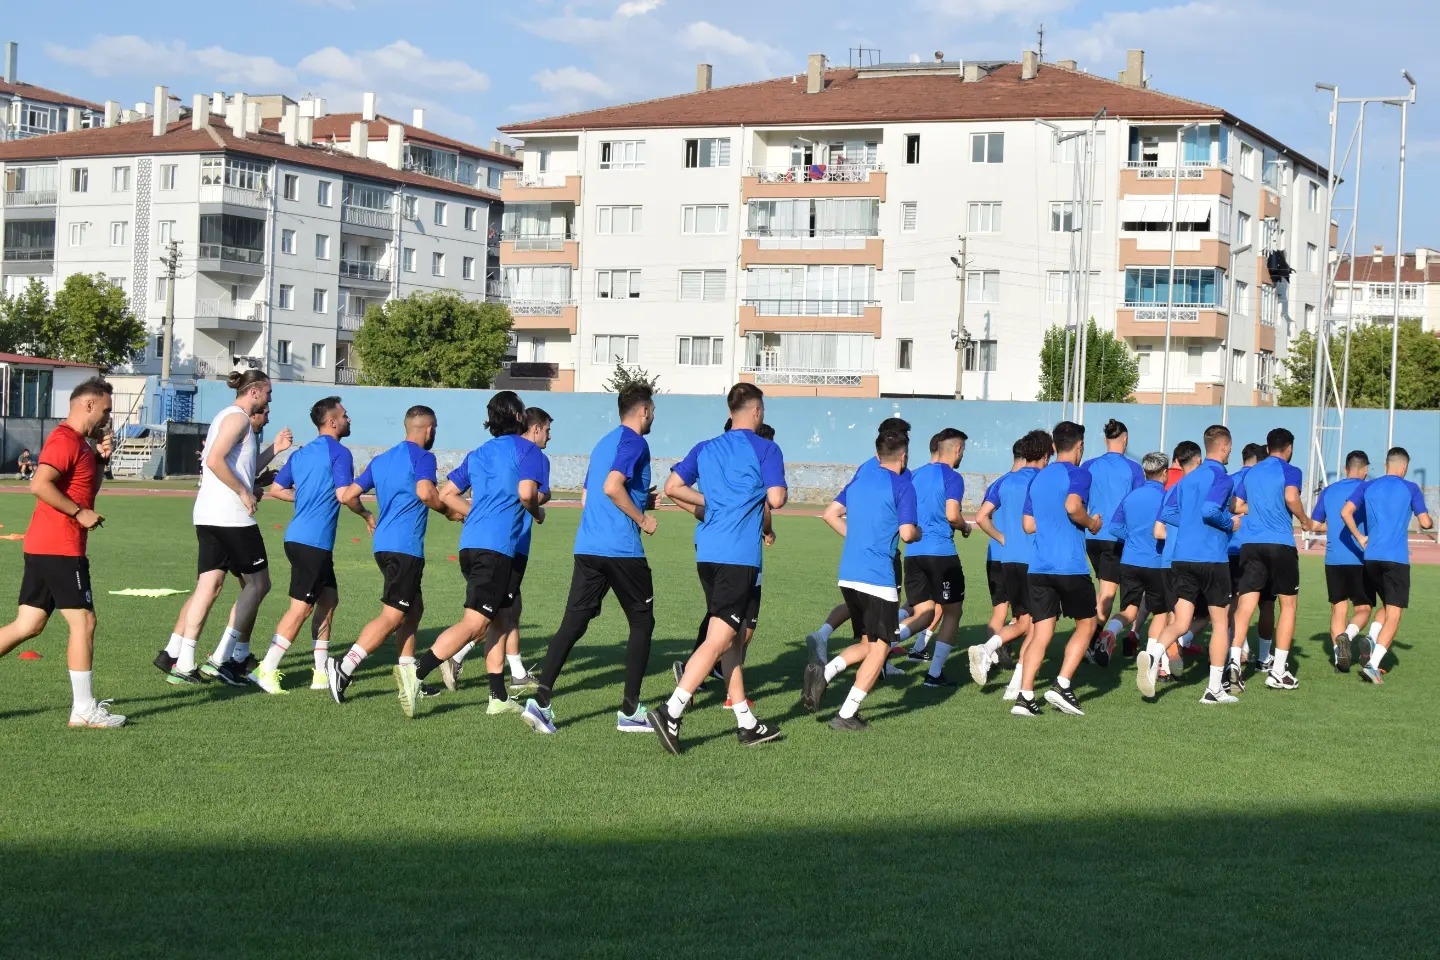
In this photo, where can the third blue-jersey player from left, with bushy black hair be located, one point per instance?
(503, 477)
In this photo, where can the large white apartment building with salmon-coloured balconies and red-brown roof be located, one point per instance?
(800, 232)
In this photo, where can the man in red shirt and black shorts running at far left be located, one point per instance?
(57, 572)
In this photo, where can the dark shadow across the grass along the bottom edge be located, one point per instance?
(1122, 887)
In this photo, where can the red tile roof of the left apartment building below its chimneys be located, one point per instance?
(179, 139)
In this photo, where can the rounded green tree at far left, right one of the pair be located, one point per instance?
(91, 323)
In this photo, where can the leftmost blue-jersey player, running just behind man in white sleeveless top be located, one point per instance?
(313, 479)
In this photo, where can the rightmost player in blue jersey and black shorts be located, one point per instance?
(1386, 506)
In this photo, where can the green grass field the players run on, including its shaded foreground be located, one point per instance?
(231, 824)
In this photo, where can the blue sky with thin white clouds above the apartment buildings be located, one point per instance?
(479, 65)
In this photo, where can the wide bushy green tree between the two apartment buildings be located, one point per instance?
(433, 340)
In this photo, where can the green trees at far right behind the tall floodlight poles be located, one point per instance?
(1418, 388)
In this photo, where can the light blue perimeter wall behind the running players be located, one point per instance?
(823, 438)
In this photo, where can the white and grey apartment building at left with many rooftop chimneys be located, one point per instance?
(284, 243)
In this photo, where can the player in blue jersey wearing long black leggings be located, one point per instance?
(608, 556)
